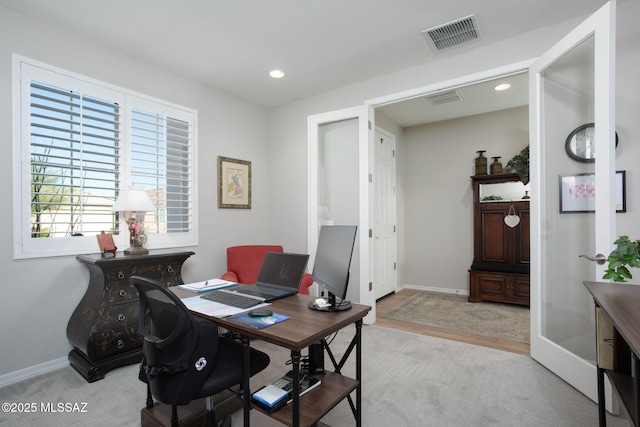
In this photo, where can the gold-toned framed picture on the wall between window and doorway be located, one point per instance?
(234, 183)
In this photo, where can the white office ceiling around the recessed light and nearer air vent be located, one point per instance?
(321, 45)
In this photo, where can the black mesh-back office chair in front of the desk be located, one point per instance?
(183, 357)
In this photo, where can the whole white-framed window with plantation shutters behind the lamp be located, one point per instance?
(78, 142)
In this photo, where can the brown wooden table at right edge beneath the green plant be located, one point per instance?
(618, 344)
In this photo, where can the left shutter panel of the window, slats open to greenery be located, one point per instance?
(74, 162)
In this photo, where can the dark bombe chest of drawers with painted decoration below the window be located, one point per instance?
(103, 329)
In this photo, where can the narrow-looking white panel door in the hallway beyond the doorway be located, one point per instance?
(384, 265)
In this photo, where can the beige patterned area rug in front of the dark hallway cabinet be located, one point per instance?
(453, 312)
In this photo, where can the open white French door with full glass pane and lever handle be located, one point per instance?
(571, 85)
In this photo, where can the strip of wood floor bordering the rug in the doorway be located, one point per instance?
(391, 301)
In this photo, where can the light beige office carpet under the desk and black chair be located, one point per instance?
(408, 380)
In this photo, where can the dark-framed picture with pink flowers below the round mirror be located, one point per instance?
(578, 192)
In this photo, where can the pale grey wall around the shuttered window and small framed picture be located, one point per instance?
(37, 297)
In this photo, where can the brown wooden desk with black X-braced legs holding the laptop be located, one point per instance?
(305, 327)
